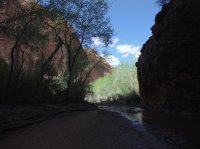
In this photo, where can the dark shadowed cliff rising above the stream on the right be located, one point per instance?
(169, 66)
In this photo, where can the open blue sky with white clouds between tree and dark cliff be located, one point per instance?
(131, 20)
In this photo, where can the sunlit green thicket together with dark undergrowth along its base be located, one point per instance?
(119, 87)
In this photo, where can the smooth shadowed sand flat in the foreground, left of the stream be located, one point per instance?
(80, 130)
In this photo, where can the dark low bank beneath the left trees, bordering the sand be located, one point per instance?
(18, 116)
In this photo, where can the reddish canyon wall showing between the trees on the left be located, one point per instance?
(32, 58)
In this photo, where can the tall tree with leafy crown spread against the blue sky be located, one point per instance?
(77, 22)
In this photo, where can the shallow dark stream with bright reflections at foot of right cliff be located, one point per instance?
(177, 130)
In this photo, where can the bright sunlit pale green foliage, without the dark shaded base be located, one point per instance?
(121, 83)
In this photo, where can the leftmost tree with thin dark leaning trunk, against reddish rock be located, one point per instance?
(21, 27)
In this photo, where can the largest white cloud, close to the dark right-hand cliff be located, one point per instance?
(127, 49)
